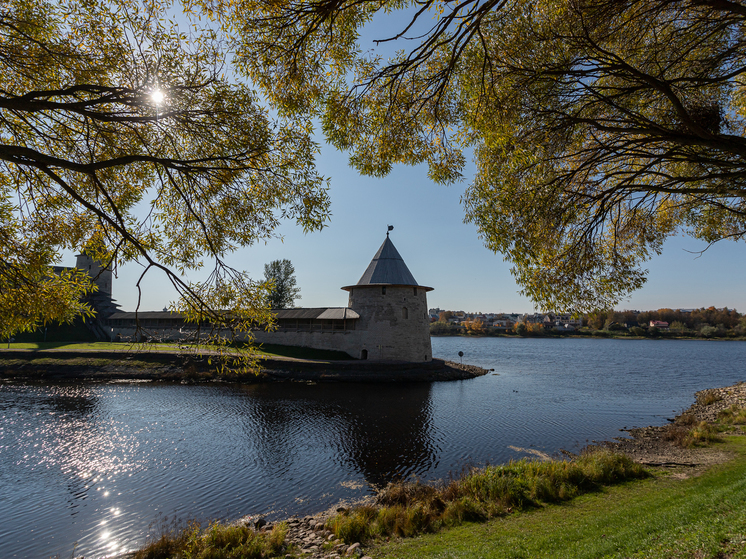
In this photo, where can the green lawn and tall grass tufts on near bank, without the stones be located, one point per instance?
(620, 515)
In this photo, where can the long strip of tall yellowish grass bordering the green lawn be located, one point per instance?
(410, 508)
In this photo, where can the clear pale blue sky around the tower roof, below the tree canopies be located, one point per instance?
(441, 252)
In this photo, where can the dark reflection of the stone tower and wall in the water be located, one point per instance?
(381, 432)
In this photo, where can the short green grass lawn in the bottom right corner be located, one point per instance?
(698, 518)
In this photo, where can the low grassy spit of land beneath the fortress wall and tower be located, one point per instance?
(173, 366)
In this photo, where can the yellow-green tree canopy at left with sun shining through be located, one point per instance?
(120, 135)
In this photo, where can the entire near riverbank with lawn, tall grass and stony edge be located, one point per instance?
(601, 503)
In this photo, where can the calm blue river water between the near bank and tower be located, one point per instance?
(97, 463)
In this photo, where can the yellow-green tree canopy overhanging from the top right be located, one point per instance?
(599, 127)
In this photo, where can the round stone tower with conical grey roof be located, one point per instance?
(392, 308)
